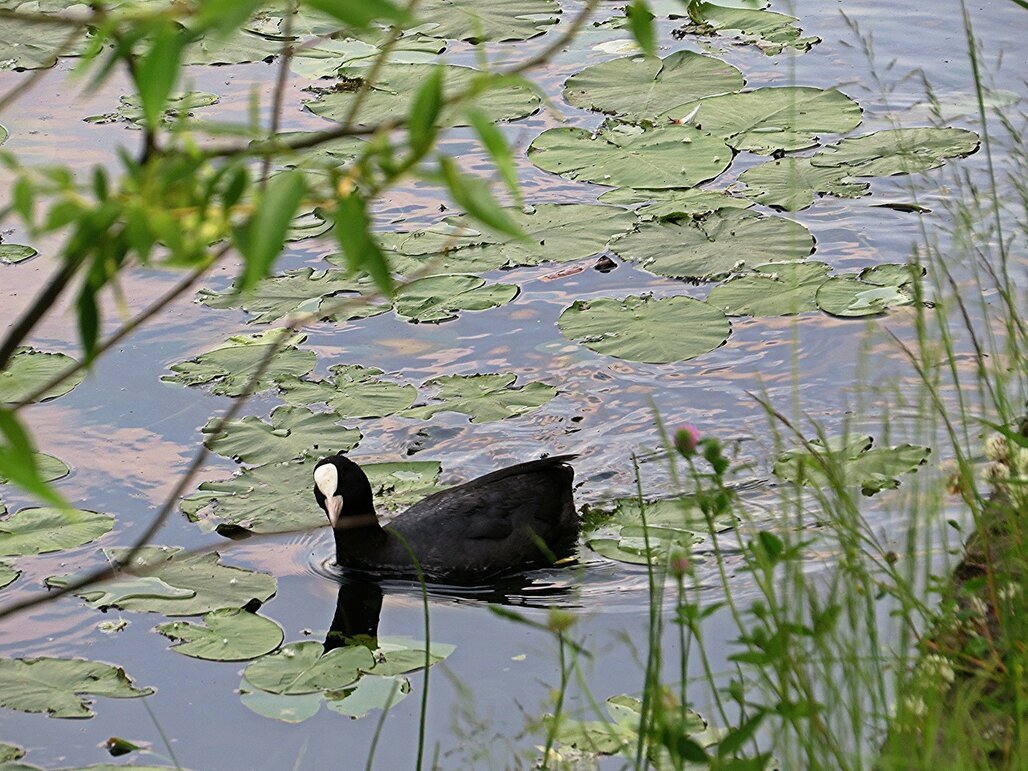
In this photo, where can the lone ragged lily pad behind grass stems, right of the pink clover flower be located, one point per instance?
(853, 462)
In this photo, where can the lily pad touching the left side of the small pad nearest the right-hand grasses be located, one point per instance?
(779, 289)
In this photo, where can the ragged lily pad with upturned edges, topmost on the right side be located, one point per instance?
(769, 31)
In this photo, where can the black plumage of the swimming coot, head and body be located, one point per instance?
(516, 519)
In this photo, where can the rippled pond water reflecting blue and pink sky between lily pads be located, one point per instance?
(128, 436)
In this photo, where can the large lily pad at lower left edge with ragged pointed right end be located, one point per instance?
(61, 687)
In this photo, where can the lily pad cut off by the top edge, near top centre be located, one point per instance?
(479, 21)
